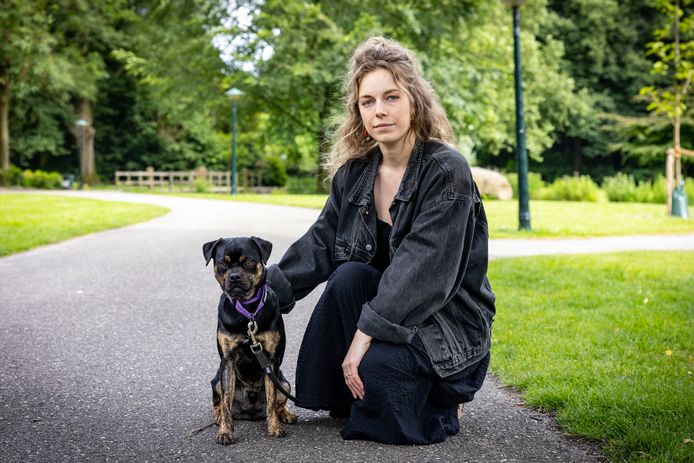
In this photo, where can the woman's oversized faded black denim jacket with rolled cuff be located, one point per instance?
(436, 283)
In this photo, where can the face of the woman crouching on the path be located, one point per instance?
(385, 109)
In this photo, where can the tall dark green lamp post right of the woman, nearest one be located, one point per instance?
(521, 151)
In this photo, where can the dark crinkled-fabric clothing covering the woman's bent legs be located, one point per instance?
(405, 401)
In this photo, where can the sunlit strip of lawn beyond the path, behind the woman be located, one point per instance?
(550, 219)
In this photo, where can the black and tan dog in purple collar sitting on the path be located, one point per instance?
(240, 389)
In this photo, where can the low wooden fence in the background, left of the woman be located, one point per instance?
(199, 179)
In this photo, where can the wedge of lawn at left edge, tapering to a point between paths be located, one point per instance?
(31, 220)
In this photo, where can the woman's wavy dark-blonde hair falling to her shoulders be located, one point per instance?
(429, 120)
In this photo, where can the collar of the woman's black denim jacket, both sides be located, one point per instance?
(363, 194)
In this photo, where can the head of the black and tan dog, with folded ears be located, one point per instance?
(239, 264)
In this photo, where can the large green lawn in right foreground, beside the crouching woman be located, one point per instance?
(605, 341)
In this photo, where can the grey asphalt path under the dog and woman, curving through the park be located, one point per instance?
(107, 346)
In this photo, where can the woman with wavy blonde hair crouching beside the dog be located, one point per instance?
(402, 332)
